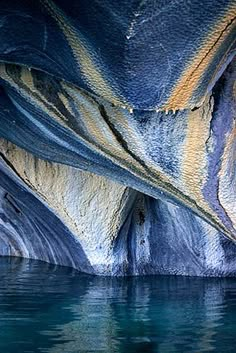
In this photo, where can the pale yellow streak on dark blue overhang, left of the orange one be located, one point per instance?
(81, 54)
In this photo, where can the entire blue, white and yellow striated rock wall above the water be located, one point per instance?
(118, 126)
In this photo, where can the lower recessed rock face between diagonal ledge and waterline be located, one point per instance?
(60, 214)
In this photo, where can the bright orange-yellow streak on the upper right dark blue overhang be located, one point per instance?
(191, 77)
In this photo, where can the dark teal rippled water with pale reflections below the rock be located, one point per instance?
(45, 308)
